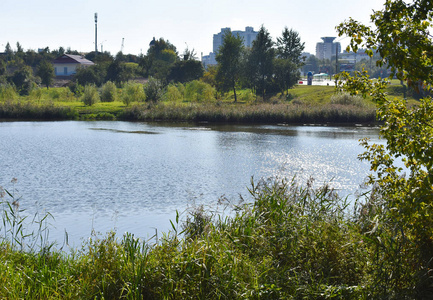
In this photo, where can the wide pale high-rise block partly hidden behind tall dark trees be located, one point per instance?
(248, 36)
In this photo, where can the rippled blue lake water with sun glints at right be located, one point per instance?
(132, 177)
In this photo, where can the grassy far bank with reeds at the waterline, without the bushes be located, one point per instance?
(303, 104)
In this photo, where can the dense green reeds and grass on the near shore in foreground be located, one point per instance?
(289, 242)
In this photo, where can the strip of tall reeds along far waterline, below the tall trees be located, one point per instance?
(255, 113)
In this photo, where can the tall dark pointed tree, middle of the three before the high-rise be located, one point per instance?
(261, 60)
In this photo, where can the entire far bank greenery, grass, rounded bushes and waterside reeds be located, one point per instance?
(193, 101)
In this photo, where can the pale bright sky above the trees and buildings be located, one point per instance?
(186, 23)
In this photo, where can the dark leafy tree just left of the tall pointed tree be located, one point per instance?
(229, 58)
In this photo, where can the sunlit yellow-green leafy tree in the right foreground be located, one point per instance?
(403, 205)
